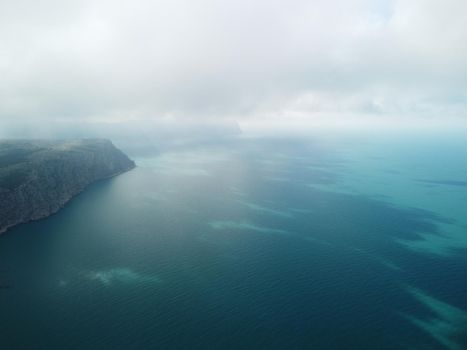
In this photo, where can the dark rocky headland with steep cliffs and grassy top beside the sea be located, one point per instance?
(38, 177)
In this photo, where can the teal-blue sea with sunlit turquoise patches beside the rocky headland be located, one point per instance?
(324, 242)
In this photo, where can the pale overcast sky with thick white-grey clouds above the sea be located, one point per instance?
(240, 59)
